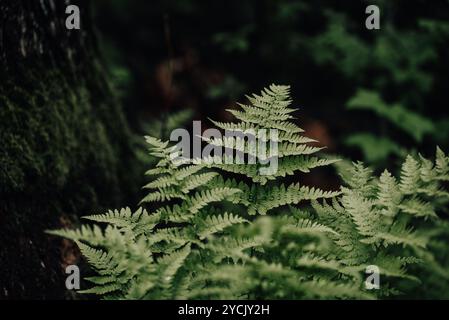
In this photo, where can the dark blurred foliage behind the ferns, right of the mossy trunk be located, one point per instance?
(322, 48)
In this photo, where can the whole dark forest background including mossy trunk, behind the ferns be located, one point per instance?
(74, 104)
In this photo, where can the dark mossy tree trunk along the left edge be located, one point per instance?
(65, 147)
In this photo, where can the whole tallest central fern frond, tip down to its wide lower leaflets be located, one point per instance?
(270, 110)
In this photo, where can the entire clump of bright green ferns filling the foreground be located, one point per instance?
(224, 230)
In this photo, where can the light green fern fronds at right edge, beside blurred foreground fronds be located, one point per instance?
(382, 215)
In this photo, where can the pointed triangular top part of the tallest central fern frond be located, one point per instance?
(271, 110)
